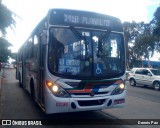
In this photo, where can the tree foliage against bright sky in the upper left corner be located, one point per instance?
(6, 19)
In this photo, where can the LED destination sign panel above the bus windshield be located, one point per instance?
(84, 19)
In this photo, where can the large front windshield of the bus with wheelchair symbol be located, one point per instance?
(88, 53)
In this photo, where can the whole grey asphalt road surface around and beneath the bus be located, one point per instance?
(141, 103)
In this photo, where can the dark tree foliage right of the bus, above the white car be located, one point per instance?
(141, 40)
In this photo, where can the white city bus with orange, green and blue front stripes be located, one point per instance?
(74, 61)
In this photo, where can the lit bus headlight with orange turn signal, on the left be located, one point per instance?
(57, 90)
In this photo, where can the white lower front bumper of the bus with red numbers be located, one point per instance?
(61, 105)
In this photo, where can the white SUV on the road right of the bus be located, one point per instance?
(145, 76)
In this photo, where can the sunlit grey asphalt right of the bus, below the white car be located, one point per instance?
(141, 103)
